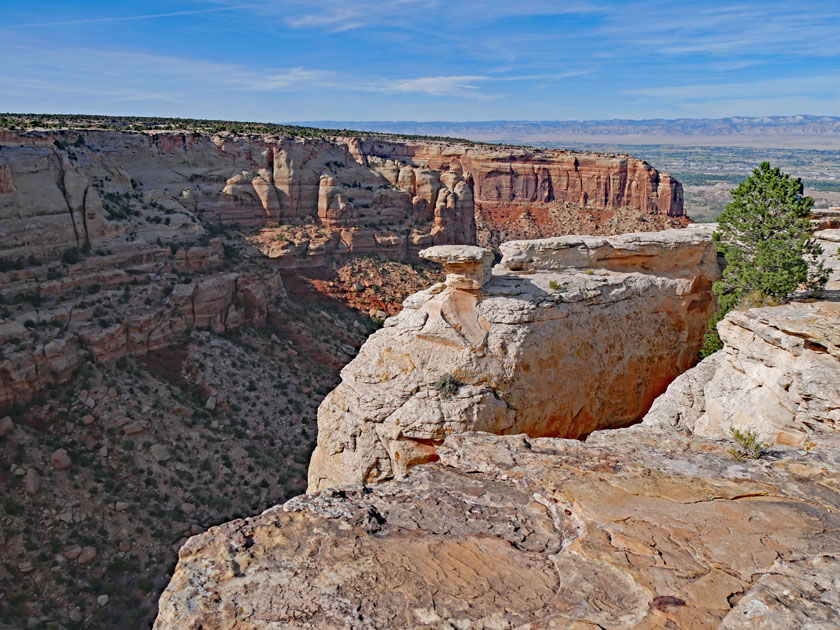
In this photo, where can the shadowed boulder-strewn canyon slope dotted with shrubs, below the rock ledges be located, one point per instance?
(162, 447)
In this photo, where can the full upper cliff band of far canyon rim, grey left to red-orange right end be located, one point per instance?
(62, 189)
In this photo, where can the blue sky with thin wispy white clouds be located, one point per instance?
(421, 60)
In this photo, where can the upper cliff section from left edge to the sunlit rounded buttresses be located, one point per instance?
(64, 189)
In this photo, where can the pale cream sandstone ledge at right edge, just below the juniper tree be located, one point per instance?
(778, 375)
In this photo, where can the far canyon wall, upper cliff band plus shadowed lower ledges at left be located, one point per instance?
(149, 207)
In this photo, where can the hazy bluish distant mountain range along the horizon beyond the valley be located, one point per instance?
(814, 132)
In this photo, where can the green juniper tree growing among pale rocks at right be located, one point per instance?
(766, 236)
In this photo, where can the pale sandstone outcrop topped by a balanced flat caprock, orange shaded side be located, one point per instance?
(595, 327)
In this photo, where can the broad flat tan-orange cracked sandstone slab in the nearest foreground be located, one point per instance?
(635, 528)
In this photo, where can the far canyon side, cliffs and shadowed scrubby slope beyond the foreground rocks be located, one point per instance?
(175, 304)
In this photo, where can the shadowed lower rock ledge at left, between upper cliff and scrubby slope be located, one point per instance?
(105, 307)
